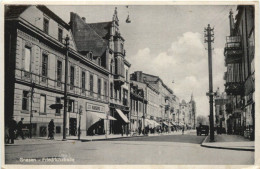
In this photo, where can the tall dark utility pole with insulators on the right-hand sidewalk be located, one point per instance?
(208, 35)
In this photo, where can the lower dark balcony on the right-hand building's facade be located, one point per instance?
(234, 88)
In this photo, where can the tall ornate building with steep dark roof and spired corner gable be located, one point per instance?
(103, 43)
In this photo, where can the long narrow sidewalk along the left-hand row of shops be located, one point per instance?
(73, 139)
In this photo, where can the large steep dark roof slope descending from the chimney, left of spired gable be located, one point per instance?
(86, 38)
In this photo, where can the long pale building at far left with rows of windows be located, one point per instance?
(35, 73)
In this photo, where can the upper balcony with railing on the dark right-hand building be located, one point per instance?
(233, 50)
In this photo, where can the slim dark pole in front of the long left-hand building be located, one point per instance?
(65, 88)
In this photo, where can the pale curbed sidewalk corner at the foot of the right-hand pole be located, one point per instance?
(232, 142)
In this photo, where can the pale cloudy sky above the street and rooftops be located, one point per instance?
(168, 41)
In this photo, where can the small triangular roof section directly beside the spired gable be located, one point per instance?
(102, 29)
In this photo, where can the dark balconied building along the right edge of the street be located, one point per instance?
(240, 75)
